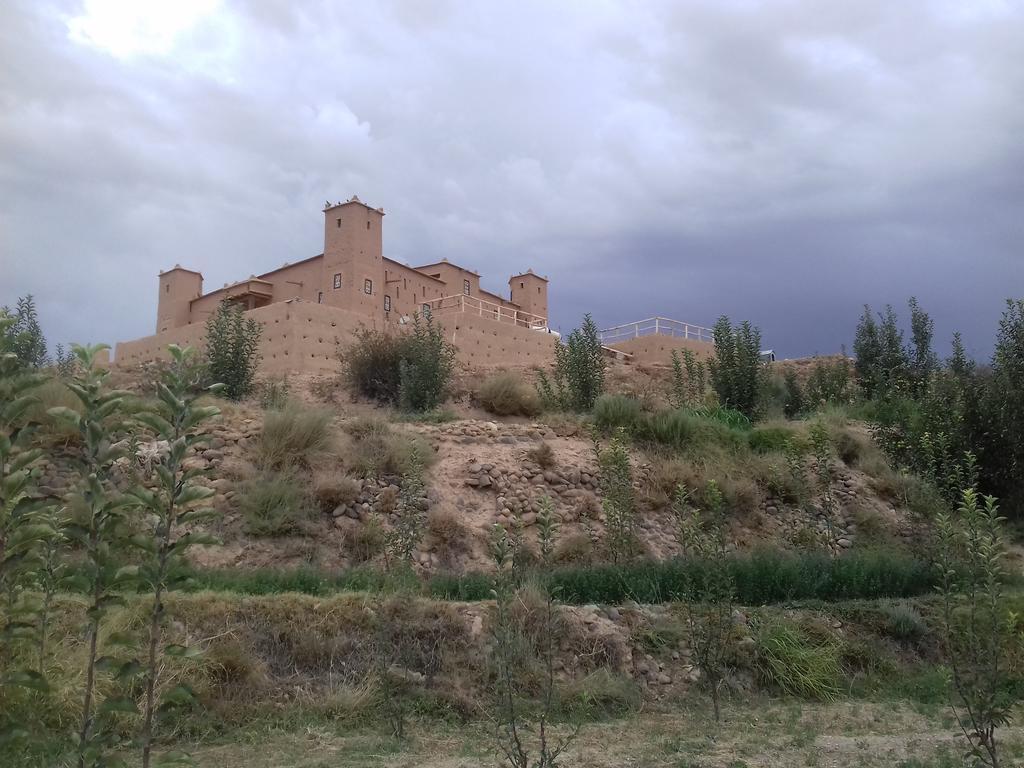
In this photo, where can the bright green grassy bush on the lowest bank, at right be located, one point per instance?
(798, 663)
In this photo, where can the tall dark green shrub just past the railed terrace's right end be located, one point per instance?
(737, 371)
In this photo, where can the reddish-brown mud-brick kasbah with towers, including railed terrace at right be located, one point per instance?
(311, 309)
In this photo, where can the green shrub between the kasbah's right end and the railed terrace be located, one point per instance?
(579, 376)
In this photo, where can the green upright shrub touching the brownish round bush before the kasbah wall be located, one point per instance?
(425, 369)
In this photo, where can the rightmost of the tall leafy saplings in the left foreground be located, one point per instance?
(173, 505)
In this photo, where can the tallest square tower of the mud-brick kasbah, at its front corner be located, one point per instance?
(354, 267)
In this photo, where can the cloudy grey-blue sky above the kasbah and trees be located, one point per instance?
(784, 161)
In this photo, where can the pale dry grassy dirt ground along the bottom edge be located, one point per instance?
(760, 734)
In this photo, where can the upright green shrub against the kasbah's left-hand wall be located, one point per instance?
(232, 350)
